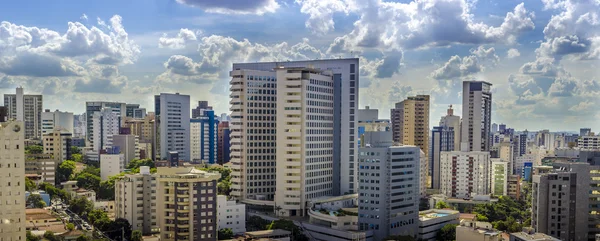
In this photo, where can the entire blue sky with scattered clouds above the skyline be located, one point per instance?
(542, 56)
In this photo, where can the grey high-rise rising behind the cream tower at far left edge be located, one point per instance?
(26, 108)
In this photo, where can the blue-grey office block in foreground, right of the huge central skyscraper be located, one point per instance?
(388, 186)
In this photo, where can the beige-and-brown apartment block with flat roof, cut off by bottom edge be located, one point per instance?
(186, 203)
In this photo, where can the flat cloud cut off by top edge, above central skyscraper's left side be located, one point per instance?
(258, 7)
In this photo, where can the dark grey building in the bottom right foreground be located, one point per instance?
(560, 202)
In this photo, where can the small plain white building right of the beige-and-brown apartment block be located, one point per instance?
(231, 214)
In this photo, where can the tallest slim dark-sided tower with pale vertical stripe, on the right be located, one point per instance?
(477, 115)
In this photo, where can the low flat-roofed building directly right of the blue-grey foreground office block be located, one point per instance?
(431, 221)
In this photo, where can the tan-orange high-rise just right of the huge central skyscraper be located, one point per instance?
(410, 122)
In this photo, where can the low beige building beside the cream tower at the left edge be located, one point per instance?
(43, 166)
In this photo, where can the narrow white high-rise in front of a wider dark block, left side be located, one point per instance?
(106, 123)
